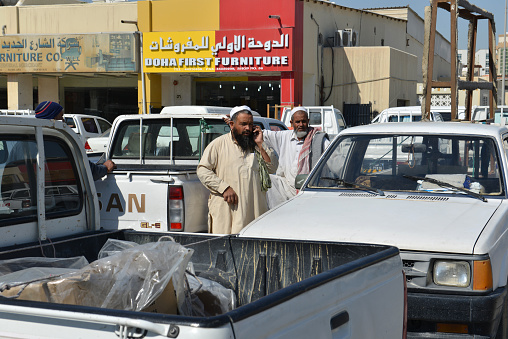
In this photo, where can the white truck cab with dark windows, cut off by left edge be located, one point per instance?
(42, 199)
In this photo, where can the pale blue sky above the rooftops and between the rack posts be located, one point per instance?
(496, 7)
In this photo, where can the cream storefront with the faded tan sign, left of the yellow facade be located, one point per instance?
(81, 56)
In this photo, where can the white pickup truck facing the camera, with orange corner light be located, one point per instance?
(438, 192)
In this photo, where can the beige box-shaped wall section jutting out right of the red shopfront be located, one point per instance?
(379, 75)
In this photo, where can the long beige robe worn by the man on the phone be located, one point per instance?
(224, 164)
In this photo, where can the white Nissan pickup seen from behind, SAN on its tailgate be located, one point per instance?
(158, 189)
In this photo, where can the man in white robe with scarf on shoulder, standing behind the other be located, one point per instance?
(298, 151)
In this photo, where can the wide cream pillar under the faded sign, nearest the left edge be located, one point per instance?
(20, 91)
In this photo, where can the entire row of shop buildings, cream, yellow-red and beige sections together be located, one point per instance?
(109, 58)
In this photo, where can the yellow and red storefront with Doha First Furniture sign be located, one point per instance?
(222, 53)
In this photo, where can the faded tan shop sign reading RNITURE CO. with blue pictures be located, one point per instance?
(104, 52)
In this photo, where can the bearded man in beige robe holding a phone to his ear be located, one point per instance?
(235, 167)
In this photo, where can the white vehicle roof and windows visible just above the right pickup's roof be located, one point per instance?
(414, 113)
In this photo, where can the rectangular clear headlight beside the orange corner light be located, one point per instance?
(452, 273)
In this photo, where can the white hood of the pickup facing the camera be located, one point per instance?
(410, 222)
